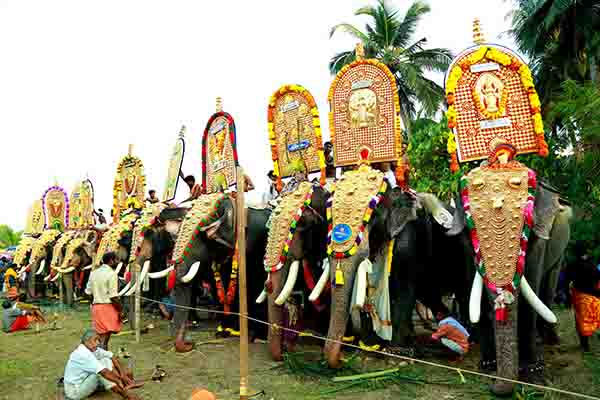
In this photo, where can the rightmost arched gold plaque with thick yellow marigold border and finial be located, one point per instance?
(491, 96)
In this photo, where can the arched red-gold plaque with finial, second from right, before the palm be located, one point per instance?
(364, 117)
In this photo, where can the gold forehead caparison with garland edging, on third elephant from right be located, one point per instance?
(283, 222)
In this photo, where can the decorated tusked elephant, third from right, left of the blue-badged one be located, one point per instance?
(296, 246)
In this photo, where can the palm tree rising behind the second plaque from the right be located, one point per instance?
(389, 38)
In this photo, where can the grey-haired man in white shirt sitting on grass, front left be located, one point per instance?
(91, 368)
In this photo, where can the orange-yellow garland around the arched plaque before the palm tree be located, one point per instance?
(401, 168)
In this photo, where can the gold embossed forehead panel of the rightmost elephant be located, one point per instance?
(497, 198)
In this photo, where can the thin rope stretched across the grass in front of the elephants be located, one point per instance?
(459, 371)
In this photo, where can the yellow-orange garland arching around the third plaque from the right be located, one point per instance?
(285, 89)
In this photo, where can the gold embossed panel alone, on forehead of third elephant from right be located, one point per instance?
(281, 220)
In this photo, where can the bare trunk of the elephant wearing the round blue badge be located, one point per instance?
(340, 306)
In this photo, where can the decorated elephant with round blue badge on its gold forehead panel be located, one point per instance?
(379, 250)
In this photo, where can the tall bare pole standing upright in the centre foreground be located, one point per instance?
(241, 245)
